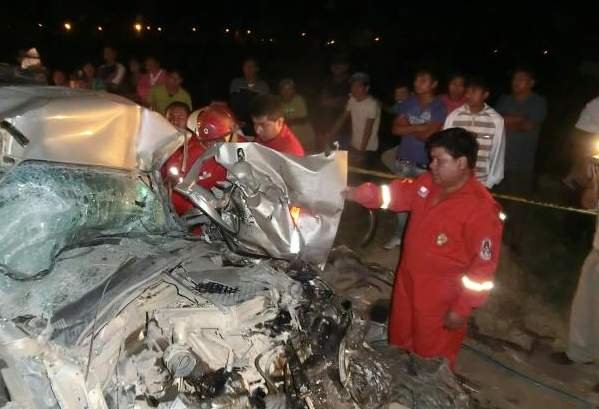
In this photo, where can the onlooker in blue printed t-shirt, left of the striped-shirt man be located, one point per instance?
(420, 116)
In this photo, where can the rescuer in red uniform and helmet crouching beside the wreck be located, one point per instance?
(210, 125)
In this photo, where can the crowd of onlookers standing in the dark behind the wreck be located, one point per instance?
(346, 111)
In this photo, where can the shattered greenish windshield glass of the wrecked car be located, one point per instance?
(46, 208)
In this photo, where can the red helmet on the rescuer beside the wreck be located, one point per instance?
(215, 121)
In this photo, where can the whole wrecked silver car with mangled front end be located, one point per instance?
(109, 302)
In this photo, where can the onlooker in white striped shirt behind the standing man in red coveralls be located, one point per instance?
(478, 117)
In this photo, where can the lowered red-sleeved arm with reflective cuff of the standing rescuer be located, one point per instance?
(483, 233)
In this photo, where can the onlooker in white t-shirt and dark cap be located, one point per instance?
(364, 112)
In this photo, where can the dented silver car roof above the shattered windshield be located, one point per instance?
(85, 127)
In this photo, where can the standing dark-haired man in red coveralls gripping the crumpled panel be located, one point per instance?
(451, 248)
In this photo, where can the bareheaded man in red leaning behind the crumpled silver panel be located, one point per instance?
(271, 129)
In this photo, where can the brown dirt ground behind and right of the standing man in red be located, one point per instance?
(508, 365)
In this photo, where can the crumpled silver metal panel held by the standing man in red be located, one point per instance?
(275, 205)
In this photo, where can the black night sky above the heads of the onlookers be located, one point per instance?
(449, 35)
